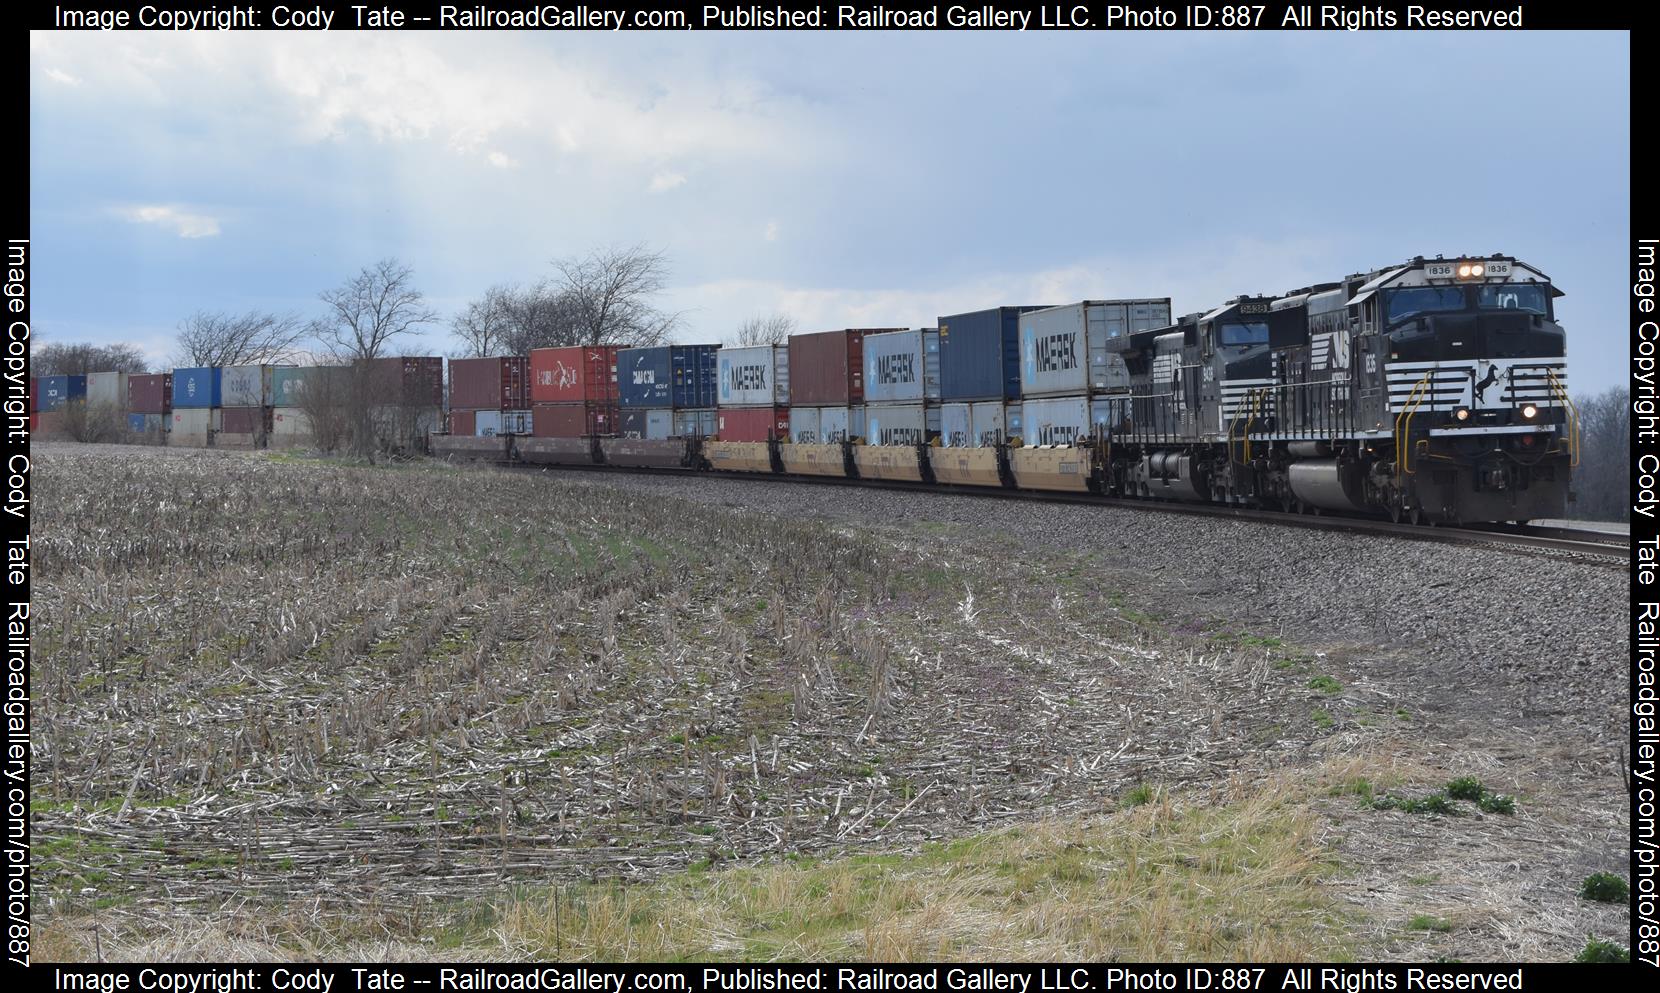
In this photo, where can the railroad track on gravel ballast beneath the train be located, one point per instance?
(1584, 542)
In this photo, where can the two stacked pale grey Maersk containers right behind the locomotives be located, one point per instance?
(1070, 366)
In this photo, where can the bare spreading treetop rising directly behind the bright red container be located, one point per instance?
(610, 293)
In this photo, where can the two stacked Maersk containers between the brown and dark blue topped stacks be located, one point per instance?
(902, 388)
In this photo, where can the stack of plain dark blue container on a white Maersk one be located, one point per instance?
(980, 378)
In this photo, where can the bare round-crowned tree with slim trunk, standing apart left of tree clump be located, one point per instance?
(364, 316)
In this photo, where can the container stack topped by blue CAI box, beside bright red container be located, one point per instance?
(668, 391)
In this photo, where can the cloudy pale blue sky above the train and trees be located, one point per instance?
(849, 180)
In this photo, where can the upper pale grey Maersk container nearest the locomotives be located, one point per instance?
(1065, 350)
